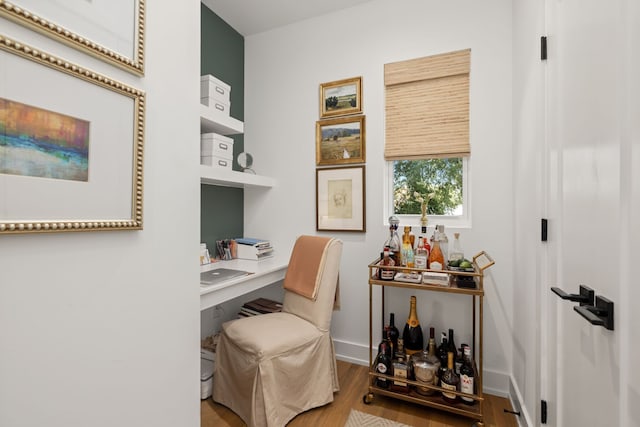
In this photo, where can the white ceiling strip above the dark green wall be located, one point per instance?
(255, 16)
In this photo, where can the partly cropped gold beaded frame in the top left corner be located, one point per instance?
(110, 30)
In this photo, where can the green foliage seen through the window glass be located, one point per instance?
(441, 177)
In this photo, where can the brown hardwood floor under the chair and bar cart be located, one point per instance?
(353, 386)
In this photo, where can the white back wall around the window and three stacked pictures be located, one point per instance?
(284, 68)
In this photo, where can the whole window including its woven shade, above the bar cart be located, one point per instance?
(427, 136)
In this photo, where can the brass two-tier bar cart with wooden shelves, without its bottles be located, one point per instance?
(481, 262)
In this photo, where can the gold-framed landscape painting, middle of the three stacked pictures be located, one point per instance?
(340, 141)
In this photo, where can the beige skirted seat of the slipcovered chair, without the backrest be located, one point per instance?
(271, 367)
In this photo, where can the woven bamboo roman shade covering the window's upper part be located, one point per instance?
(427, 107)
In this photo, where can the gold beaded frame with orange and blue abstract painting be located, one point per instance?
(56, 116)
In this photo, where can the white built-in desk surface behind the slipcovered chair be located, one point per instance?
(265, 272)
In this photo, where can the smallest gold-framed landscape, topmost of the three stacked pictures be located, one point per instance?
(340, 98)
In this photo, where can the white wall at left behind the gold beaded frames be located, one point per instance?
(102, 328)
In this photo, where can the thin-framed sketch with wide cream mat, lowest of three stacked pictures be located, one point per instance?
(340, 199)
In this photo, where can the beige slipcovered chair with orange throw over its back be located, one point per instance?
(271, 367)
